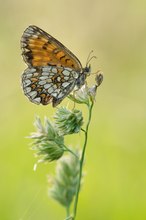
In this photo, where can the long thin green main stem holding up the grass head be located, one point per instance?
(82, 161)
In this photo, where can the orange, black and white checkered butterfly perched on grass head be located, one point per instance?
(53, 70)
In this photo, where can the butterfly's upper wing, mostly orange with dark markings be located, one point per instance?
(41, 49)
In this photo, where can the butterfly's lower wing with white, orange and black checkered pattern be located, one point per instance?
(48, 84)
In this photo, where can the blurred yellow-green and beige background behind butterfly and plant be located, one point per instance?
(115, 183)
